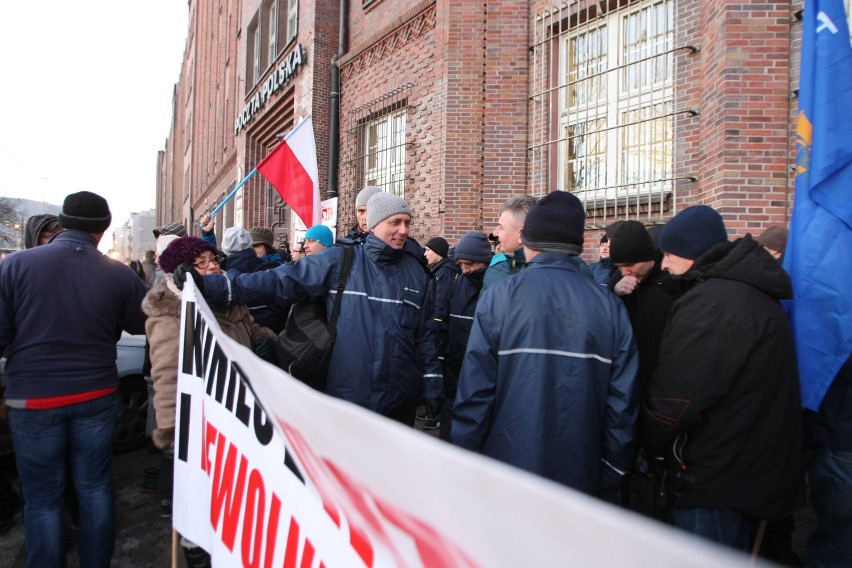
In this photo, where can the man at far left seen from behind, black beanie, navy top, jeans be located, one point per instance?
(62, 308)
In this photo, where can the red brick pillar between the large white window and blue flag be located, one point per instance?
(738, 148)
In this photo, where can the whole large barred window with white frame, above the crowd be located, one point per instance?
(602, 105)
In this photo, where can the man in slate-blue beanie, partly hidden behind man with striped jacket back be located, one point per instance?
(472, 256)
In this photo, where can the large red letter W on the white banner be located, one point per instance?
(225, 494)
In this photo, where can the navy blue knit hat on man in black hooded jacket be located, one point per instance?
(693, 231)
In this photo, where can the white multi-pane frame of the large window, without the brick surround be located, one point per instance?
(613, 167)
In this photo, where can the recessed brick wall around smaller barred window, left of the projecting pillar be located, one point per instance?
(400, 51)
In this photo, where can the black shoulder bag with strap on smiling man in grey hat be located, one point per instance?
(303, 348)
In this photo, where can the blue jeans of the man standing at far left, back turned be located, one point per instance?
(81, 434)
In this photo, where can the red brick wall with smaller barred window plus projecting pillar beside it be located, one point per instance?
(467, 120)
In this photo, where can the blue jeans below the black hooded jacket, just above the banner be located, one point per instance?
(724, 526)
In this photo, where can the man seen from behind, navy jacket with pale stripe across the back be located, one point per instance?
(547, 380)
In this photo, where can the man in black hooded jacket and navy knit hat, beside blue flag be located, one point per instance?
(724, 404)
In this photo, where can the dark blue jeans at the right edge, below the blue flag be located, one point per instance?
(830, 480)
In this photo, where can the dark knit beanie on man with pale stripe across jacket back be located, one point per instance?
(556, 224)
